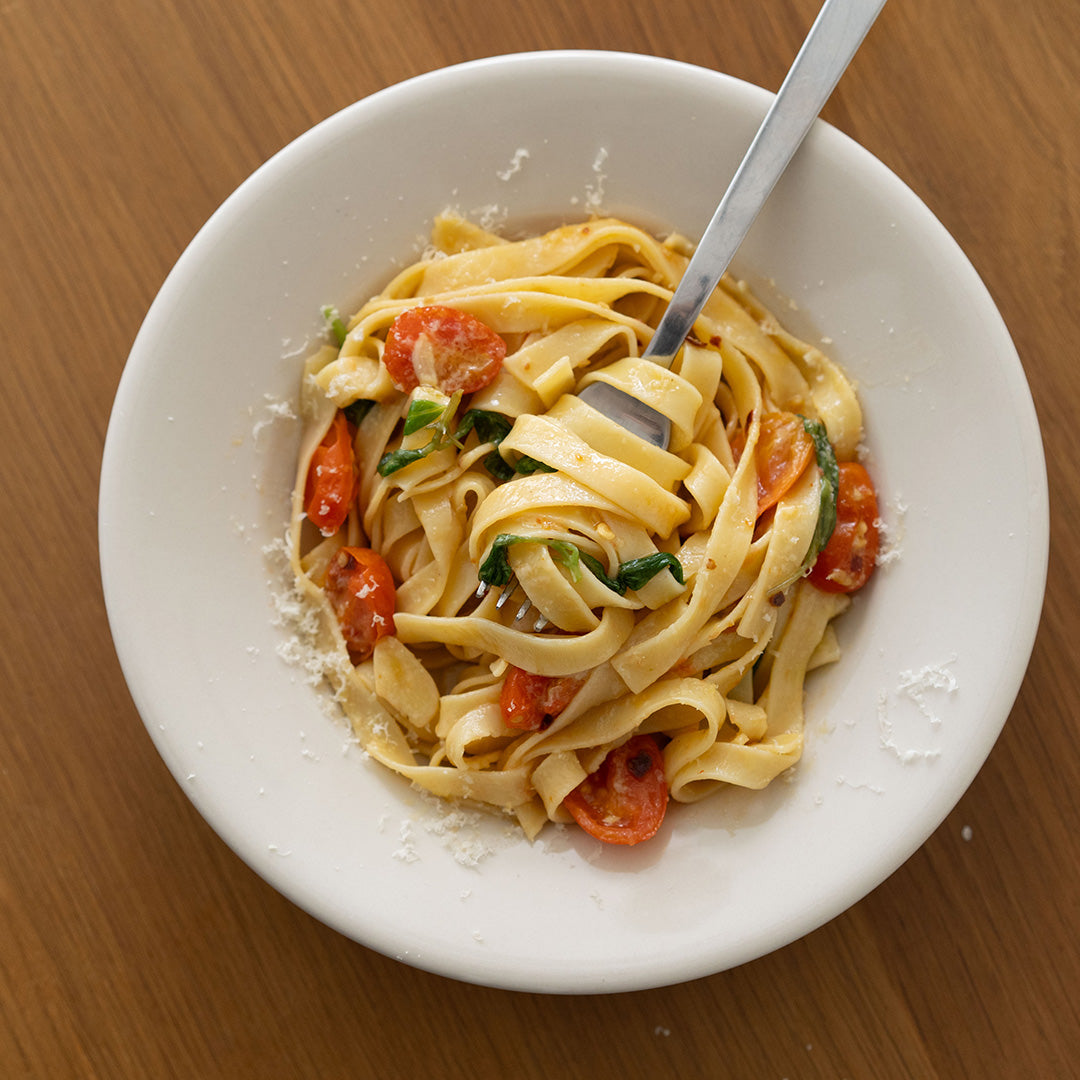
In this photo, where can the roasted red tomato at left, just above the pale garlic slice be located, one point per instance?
(361, 590)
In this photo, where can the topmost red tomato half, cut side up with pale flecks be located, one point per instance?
(442, 347)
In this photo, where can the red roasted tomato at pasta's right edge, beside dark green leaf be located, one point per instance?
(847, 561)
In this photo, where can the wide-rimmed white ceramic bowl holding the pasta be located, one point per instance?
(199, 462)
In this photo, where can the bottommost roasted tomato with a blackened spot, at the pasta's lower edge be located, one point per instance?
(625, 801)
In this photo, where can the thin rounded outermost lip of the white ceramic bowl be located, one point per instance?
(121, 614)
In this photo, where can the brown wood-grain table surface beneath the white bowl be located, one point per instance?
(133, 942)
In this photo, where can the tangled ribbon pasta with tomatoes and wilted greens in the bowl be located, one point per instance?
(524, 606)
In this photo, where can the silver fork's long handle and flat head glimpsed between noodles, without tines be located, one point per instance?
(833, 40)
